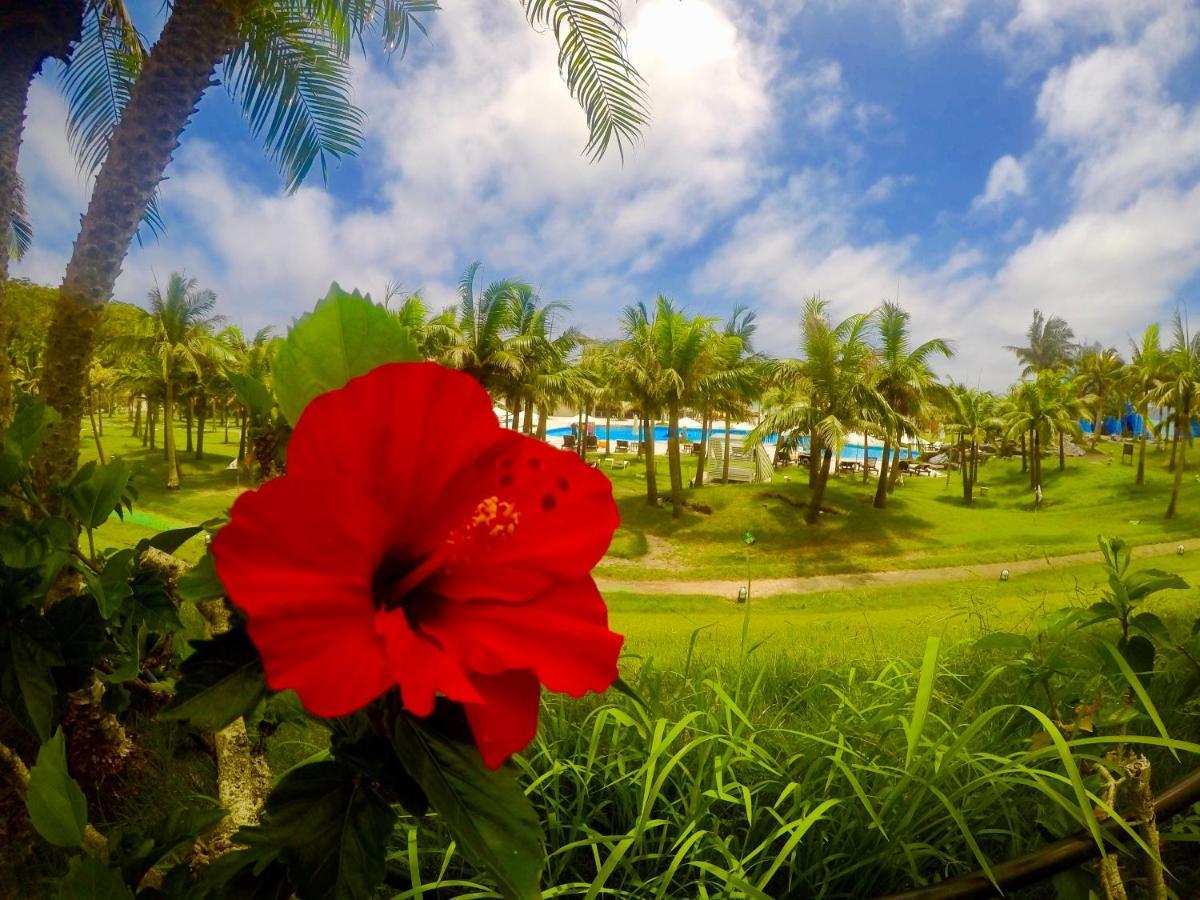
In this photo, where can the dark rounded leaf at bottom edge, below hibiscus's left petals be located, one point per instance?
(329, 829)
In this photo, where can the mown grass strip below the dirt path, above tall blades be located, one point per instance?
(871, 626)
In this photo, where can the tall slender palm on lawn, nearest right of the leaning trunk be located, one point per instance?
(178, 332)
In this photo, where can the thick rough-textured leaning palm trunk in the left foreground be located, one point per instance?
(175, 77)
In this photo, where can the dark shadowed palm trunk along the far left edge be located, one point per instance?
(33, 34)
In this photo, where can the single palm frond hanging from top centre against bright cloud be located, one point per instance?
(592, 57)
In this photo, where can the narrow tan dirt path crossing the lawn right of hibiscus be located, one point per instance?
(819, 584)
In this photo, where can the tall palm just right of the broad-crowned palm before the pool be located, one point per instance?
(904, 381)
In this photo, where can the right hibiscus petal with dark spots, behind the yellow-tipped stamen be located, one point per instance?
(565, 523)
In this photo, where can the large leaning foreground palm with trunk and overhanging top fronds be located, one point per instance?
(286, 63)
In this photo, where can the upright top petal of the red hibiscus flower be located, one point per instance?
(403, 434)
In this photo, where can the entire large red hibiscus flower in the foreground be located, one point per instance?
(413, 542)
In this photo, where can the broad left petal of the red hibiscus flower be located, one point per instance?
(298, 557)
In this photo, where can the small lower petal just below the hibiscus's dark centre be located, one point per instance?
(421, 668)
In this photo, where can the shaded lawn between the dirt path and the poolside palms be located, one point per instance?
(926, 524)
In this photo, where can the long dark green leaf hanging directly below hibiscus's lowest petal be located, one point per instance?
(485, 811)
